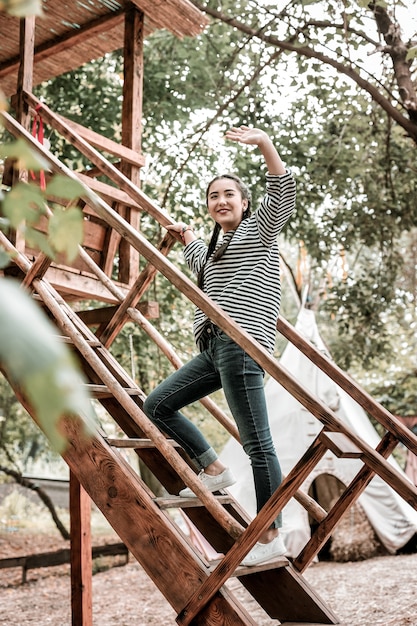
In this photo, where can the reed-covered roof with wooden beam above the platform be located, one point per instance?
(71, 33)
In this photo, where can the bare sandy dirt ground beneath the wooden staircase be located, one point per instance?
(377, 591)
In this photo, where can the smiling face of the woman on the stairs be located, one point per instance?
(226, 203)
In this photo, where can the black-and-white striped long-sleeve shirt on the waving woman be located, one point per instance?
(245, 281)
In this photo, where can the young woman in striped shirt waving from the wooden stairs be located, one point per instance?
(241, 274)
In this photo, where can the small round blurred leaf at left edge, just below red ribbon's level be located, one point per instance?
(23, 203)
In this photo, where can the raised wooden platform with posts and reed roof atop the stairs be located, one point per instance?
(67, 35)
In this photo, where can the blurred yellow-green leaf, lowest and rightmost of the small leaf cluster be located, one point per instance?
(66, 231)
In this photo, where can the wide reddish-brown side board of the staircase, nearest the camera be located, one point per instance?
(144, 529)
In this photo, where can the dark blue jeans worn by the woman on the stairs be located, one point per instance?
(223, 364)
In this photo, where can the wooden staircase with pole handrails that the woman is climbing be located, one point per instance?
(196, 588)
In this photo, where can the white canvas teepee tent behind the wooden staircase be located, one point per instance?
(293, 430)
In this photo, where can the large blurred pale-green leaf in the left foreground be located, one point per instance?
(43, 367)
